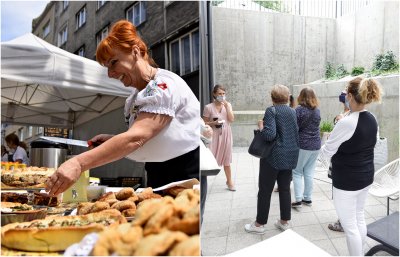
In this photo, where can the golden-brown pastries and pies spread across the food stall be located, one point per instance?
(125, 222)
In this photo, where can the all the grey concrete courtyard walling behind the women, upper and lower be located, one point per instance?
(255, 50)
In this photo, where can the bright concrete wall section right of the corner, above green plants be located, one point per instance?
(373, 30)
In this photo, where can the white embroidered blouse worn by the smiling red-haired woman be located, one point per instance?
(170, 95)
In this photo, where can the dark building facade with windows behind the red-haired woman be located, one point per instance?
(169, 28)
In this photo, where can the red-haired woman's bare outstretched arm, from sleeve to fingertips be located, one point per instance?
(145, 127)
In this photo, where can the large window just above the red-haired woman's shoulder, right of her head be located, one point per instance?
(185, 53)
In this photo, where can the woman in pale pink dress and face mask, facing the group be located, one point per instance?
(219, 116)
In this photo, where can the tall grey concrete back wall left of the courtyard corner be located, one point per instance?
(255, 50)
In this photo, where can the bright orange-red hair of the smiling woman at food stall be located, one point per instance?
(122, 36)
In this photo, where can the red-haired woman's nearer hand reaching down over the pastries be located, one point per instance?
(66, 175)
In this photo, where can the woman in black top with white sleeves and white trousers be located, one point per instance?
(351, 147)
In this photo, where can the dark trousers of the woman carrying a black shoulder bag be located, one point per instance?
(266, 181)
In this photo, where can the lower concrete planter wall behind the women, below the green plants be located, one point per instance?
(387, 112)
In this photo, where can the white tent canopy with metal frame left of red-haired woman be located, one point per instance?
(44, 85)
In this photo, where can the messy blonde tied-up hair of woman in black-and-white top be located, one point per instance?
(365, 91)
